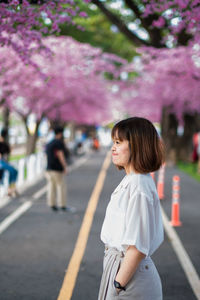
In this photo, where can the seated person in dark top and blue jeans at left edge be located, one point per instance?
(6, 166)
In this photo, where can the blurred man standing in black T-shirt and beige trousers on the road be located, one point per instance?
(56, 171)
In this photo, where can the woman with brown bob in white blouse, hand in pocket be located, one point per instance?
(132, 229)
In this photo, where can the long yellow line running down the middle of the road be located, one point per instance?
(74, 264)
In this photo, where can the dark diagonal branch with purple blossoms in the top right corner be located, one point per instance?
(154, 23)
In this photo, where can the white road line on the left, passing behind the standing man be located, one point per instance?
(25, 206)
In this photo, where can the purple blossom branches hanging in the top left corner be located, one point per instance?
(22, 23)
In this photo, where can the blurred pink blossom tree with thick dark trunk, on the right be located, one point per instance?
(167, 91)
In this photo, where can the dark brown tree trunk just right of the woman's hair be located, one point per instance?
(169, 126)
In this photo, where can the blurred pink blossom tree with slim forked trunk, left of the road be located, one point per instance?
(74, 86)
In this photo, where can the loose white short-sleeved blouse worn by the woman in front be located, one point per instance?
(133, 215)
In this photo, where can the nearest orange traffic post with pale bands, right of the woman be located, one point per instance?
(175, 213)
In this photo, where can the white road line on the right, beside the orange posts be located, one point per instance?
(182, 255)
